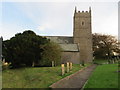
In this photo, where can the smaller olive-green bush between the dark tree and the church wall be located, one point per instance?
(52, 52)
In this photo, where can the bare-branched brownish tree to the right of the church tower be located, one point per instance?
(104, 45)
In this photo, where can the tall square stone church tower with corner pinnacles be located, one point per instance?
(82, 34)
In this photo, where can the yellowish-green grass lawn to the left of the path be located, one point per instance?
(36, 77)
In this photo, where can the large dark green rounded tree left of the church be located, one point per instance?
(24, 49)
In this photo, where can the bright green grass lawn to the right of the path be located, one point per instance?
(104, 76)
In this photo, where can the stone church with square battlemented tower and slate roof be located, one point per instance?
(78, 48)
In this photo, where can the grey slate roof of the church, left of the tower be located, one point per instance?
(65, 42)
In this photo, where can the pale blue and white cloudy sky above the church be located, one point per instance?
(55, 18)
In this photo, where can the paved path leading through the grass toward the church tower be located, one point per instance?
(75, 81)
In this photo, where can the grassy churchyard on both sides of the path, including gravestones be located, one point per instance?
(104, 76)
